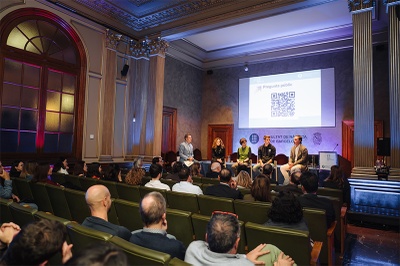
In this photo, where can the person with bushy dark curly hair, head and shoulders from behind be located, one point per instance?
(286, 212)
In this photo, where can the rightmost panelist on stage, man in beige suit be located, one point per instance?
(298, 158)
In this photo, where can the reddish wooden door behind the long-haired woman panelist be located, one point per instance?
(223, 131)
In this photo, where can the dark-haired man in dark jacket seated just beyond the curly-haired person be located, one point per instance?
(309, 186)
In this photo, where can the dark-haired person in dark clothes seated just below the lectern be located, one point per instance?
(337, 180)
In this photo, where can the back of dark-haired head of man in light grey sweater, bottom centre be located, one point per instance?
(222, 232)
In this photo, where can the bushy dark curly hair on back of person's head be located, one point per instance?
(286, 208)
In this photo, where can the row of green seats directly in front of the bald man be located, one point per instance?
(70, 204)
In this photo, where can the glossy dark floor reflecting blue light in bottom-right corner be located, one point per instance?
(371, 245)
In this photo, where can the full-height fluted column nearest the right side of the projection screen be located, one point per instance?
(363, 83)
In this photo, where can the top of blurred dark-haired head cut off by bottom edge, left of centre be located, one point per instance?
(99, 254)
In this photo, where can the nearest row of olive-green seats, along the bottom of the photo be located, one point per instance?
(184, 225)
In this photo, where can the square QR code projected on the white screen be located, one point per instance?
(283, 104)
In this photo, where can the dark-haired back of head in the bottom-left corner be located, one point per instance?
(35, 243)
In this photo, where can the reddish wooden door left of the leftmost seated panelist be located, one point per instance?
(168, 142)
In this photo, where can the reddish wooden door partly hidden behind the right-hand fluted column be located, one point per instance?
(348, 139)
